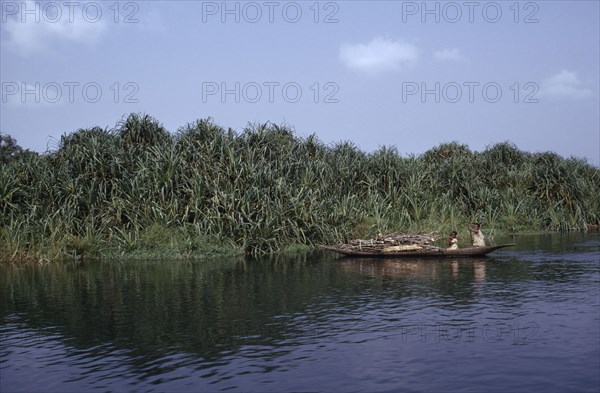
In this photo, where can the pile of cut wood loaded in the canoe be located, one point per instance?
(393, 242)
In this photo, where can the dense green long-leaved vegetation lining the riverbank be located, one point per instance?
(139, 190)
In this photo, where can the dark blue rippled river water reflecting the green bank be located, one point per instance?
(523, 320)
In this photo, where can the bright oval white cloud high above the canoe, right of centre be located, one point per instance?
(378, 55)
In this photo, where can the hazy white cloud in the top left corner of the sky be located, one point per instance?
(42, 28)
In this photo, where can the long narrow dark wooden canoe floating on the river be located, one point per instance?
(419, 253)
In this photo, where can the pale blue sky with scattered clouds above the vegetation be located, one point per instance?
(409, 74)
